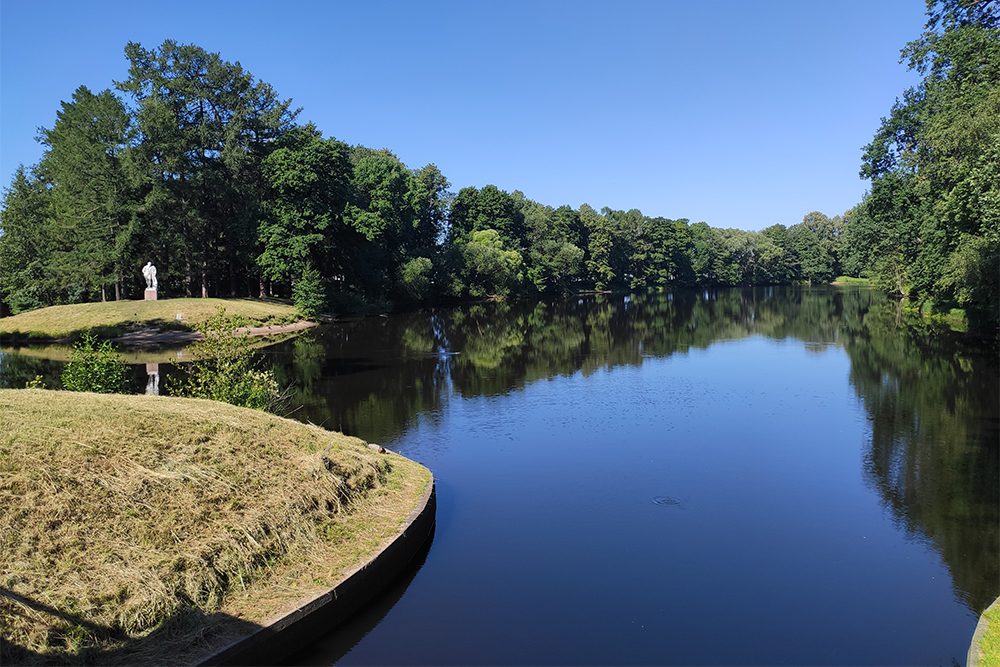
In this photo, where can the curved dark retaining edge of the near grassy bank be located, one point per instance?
(324, 612)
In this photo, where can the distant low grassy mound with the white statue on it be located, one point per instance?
(113, 318)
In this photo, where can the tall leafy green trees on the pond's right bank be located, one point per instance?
(930, 226)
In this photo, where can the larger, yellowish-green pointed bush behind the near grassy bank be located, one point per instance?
(224, 368)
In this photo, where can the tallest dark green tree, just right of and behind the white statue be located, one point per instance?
(205, 126)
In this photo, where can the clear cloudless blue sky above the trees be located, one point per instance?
(736, 112)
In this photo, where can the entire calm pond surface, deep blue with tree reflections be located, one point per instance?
(752, 477)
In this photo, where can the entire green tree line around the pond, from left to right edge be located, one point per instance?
(193, 164)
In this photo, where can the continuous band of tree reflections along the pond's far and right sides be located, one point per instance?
(931, 396)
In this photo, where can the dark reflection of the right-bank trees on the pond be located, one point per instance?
(932, 402)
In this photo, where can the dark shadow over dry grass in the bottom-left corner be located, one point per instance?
(185, 638)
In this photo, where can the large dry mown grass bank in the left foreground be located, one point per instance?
(150, 530)
